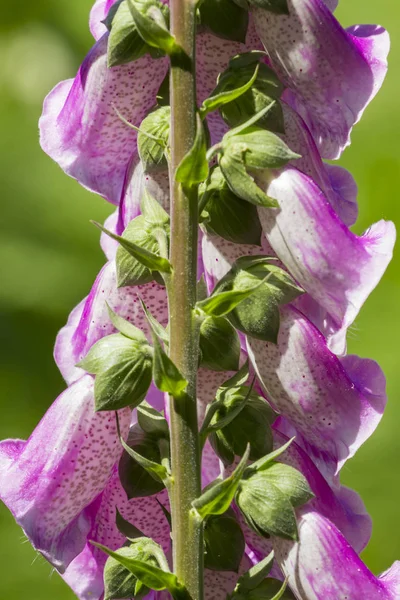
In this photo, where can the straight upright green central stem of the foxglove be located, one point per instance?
(185, 451)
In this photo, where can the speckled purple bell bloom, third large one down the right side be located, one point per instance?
(334, 404)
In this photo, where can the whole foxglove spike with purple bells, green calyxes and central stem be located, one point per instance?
(211, 404)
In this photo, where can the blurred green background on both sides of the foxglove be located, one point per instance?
(50, 256)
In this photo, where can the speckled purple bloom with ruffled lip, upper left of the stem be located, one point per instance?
(82, 132)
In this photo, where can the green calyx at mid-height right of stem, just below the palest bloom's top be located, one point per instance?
(258, 315)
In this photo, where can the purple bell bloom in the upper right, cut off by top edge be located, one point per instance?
(331, 73)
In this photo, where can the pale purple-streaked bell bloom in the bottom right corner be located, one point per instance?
(323, 565)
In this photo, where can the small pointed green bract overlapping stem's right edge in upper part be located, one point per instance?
(193, 168)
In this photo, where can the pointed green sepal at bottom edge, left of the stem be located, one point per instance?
(146, 571)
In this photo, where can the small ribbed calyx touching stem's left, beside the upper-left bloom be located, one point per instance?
(153, 148)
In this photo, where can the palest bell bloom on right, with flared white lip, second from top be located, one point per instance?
(336, 267)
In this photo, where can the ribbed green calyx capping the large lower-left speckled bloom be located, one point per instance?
(123, 369)
